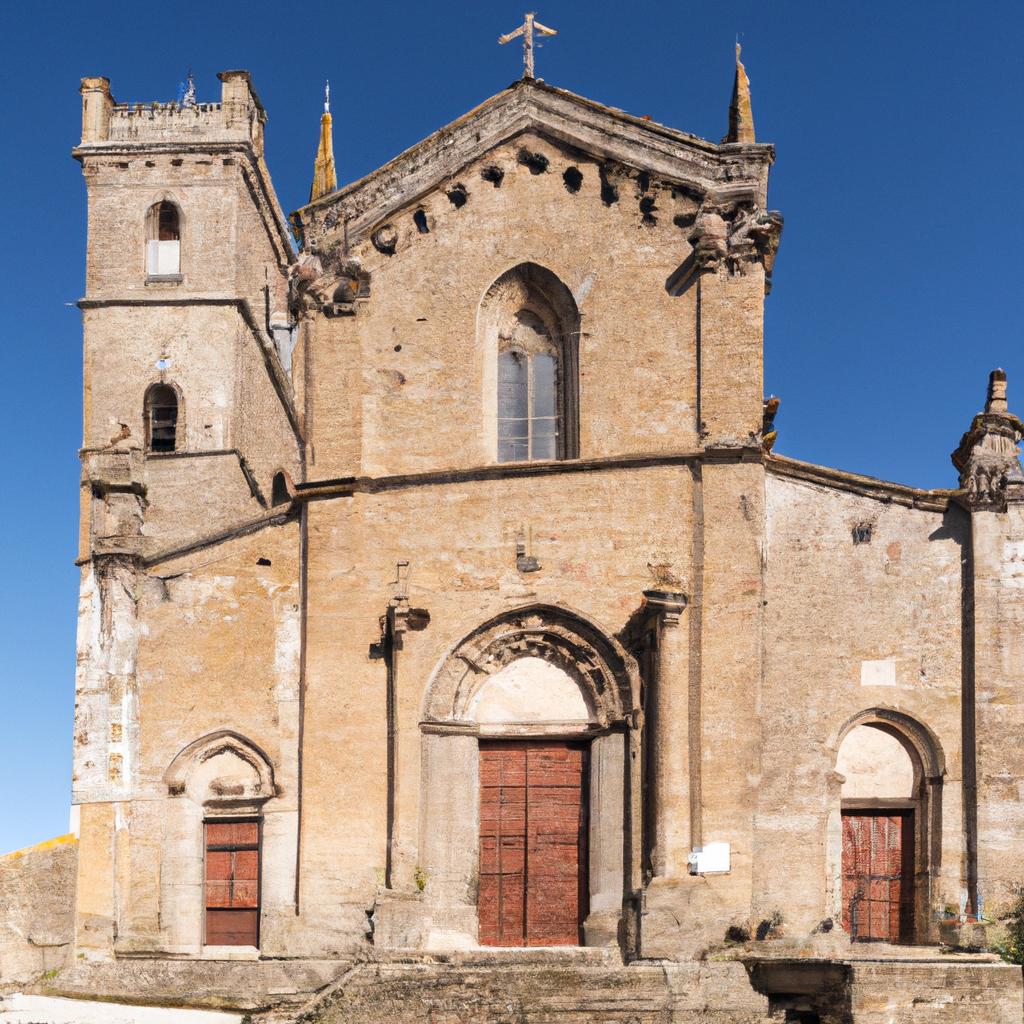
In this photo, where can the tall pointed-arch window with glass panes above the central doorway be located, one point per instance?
(530, 325)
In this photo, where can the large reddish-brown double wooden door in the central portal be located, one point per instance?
(533, 843)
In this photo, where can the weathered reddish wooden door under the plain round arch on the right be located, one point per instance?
(878, 876)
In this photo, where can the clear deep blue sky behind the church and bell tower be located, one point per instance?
(899, 285)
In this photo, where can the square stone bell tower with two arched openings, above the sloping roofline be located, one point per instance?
(188, 346)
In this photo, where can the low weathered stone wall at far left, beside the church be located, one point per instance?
(37, 910)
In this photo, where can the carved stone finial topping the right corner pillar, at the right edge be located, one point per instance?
(988, 457)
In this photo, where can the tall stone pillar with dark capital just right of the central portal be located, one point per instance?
(668, 719)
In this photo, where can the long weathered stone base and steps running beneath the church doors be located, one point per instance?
(574, 987)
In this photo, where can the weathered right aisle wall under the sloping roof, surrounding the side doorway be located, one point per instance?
(849, 628)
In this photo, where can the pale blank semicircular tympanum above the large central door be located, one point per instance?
(530, 693)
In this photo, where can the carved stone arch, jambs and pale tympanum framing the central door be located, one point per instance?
(541, 676)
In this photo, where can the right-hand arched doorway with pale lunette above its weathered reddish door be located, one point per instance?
(886, 856)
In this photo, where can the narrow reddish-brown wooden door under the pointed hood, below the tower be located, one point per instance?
(232, 883)
